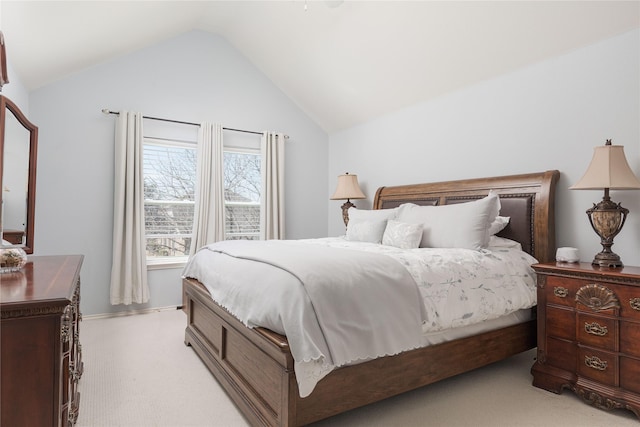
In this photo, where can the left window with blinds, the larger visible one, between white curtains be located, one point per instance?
(169, 183)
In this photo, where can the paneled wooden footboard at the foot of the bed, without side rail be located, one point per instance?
(254, 366)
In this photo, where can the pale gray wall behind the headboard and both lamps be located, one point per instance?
(546, 116)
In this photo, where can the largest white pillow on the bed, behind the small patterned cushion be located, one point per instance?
(462, 225)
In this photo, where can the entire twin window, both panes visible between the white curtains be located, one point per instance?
(169, 189)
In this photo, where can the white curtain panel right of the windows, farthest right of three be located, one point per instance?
(272, 197)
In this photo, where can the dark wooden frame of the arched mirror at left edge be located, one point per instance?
(7, 104)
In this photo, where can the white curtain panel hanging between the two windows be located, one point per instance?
(208, 221)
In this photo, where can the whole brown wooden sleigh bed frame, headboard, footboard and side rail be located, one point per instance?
(256, 368)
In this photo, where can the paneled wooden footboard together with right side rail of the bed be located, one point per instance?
(256, 368)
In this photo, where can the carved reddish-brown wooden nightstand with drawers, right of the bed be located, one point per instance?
(589, 333)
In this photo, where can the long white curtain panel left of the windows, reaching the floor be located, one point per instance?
(129, 264)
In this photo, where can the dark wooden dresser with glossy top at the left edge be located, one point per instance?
(41, 357)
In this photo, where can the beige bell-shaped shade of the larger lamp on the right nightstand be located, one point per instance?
(608, 169)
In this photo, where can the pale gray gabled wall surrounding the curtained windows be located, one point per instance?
(194, 77)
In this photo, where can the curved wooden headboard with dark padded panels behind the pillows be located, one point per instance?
(529, 200)
